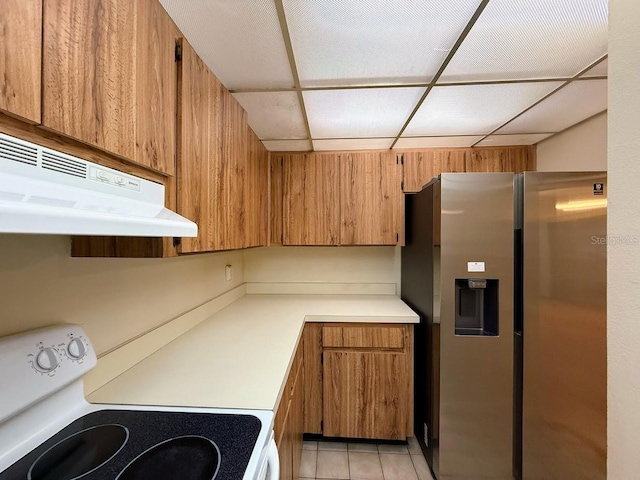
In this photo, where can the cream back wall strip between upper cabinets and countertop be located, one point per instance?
(323, 264)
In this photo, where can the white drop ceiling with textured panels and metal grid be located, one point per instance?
(358, 74)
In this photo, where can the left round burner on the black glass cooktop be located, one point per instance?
(79, 454)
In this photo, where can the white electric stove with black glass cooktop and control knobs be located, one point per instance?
(49, 432)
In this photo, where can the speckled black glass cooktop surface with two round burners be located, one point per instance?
(141, 445)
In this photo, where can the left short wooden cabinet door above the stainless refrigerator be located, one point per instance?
(421, 166)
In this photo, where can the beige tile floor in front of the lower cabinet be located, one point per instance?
(363, 461)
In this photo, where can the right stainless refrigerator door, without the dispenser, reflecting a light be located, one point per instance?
(563, 324)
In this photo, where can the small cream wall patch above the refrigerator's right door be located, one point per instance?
(580, 148)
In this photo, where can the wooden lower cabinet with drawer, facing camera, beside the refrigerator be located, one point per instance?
(359, 381)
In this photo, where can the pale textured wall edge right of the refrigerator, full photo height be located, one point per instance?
(623, 288)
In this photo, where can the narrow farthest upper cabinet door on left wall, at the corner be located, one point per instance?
(256, 192)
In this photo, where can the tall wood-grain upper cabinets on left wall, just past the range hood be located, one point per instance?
(222, 166)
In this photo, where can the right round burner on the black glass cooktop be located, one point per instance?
(191, 456)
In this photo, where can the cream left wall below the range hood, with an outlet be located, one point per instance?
(114, 299)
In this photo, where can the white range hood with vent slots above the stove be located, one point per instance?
(43, 191)
